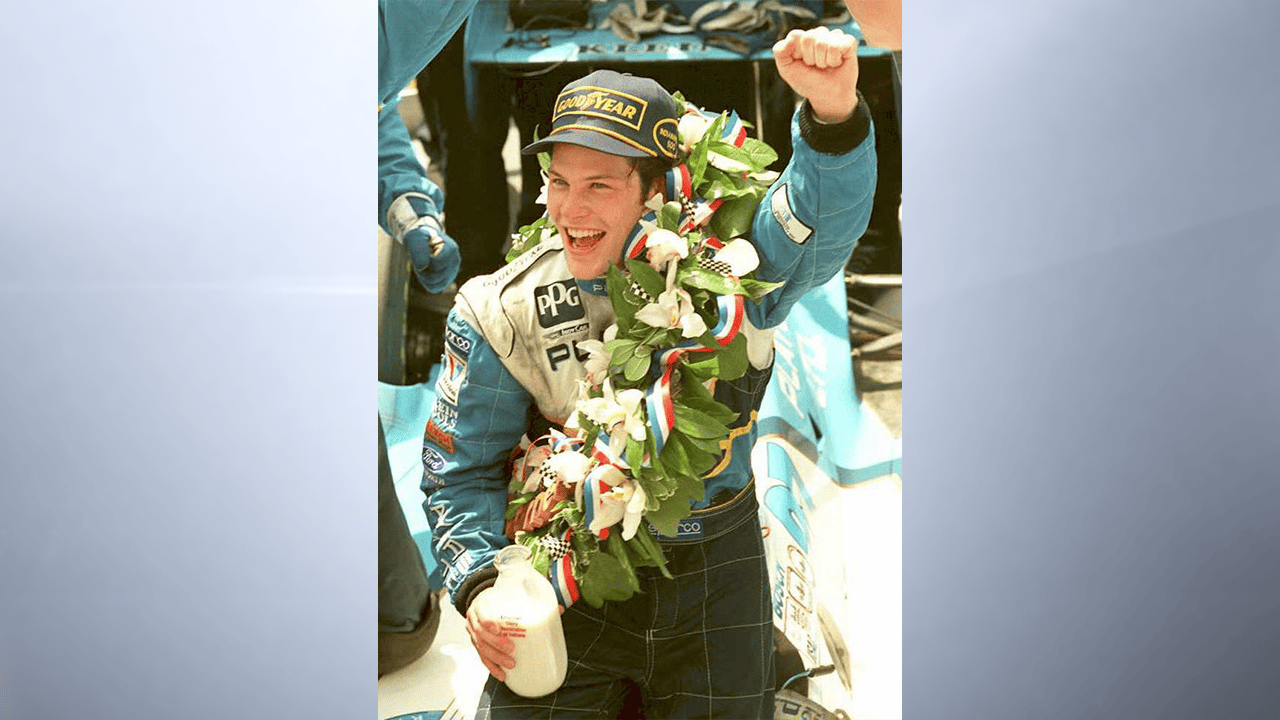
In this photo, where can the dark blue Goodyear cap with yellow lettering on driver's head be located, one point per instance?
(615, 113)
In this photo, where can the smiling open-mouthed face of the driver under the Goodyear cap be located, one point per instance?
(595, 199)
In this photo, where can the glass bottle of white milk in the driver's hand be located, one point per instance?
(524, 605)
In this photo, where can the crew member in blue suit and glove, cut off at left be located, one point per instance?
(410, 33)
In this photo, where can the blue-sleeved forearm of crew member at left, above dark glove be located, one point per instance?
(400, 172)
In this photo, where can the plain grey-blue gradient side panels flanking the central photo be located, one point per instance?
(1092, 217)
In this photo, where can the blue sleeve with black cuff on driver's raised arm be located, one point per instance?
(816, 211)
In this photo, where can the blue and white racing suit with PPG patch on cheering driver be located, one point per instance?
(511, 366)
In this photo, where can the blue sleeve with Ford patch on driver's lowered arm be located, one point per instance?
(479, 417)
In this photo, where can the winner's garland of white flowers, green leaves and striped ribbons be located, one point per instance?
(646, 427)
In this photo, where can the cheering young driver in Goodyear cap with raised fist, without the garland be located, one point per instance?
(702, 644)
